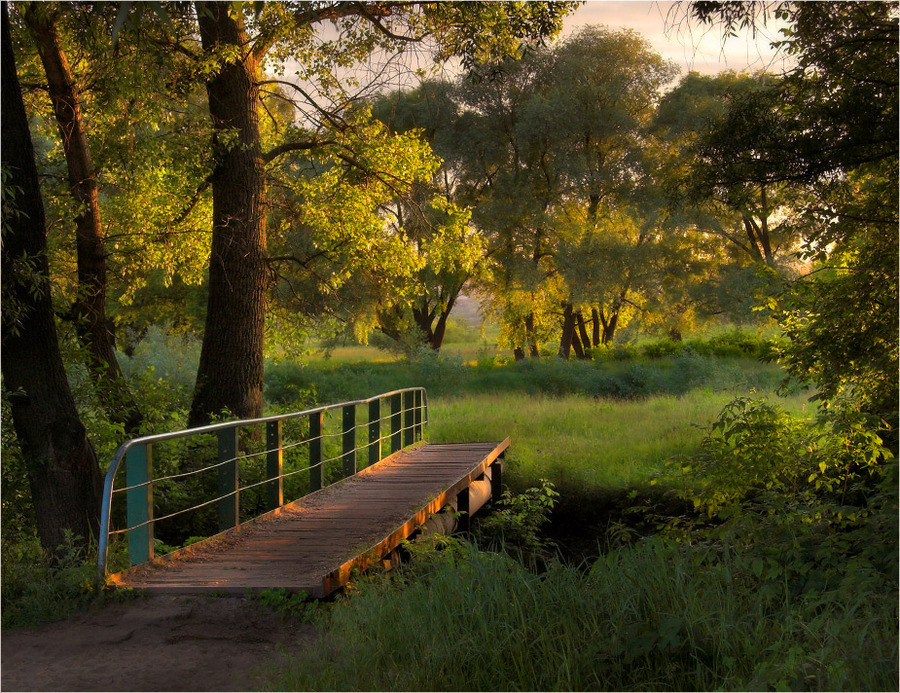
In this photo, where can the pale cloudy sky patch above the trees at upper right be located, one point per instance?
(689, 45)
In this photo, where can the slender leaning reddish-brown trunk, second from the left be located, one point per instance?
(89, 309)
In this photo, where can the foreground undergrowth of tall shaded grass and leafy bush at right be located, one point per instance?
(782, 577)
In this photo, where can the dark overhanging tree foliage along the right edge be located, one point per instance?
(837, 132)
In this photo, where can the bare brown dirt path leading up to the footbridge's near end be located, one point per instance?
(160, 643)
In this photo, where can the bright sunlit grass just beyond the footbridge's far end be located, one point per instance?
(577, 441)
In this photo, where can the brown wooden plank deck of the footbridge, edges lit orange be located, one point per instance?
(312, 544)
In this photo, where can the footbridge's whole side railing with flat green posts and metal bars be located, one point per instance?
(407, 417)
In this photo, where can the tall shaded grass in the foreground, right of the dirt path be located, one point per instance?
(656, 616)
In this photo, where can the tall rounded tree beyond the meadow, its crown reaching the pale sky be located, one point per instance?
(564, 128)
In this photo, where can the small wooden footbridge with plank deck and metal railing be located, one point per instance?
(349, 510)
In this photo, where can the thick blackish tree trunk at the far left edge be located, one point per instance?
(62, 466)
